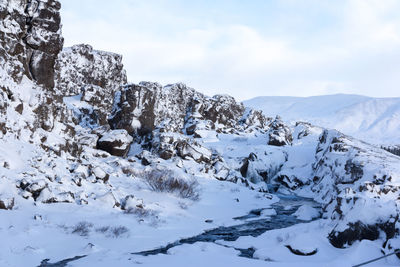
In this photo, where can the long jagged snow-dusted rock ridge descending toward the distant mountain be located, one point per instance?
(147, 106)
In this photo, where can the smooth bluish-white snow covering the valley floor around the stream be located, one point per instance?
(105, 235)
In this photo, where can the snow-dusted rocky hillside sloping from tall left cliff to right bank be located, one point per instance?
(73, 131)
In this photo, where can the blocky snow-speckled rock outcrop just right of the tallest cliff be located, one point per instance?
(93, 75)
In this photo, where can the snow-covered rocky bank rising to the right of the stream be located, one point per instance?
(353, 178)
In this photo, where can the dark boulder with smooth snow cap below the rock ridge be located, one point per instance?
(116, 142)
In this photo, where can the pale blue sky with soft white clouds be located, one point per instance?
(248, 48)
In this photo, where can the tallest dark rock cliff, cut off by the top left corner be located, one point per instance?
(32, 42)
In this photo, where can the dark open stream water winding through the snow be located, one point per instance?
(253, 225)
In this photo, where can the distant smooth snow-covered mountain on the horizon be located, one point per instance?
(375, 120)
